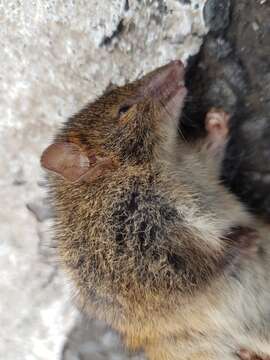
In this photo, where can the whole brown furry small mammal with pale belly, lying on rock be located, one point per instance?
(154, 243)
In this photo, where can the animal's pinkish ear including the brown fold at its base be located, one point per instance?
(71, 162)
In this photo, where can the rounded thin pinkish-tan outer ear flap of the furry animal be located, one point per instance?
(67, 160)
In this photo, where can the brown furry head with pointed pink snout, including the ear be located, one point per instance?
(127, 125)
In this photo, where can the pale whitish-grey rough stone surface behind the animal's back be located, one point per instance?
(56, 56)
